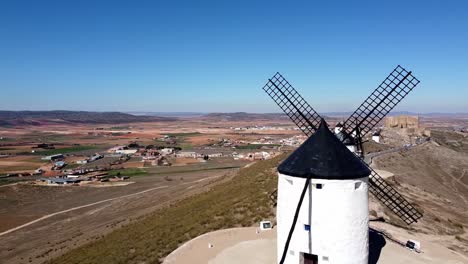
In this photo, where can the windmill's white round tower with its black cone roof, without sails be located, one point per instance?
(332, 224)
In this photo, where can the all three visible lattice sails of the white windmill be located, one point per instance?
(392, 90)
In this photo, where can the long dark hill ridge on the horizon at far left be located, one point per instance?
(37, 118)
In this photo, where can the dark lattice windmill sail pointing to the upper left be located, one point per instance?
(292, 104)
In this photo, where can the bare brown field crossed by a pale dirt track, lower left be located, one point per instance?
(55, 235)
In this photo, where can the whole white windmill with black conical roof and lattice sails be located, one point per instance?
(332, 180)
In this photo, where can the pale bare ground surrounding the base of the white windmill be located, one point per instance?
(251, 246)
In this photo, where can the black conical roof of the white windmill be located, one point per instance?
(323, 156)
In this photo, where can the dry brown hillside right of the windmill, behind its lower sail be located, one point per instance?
(433, 177)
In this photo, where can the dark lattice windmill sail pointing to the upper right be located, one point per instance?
(384, 98)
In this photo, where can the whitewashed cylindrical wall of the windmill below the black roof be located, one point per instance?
(338, 218)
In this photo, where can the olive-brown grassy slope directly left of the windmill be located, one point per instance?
(242, 201)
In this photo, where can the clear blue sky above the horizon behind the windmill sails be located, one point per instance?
(216, 55)
